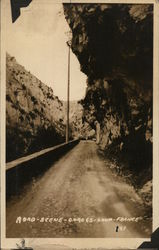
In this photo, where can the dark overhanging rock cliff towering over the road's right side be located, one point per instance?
(114, 45)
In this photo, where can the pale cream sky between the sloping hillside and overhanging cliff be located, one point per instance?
(38, 42)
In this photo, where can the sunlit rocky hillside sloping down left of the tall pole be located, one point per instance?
(34, 115)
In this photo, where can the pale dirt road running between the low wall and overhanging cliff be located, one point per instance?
(78, 196)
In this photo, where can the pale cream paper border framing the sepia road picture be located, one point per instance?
(87, 242)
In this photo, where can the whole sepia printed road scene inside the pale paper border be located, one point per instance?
(79, 101)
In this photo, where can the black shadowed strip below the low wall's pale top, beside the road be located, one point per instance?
(26, 172)
